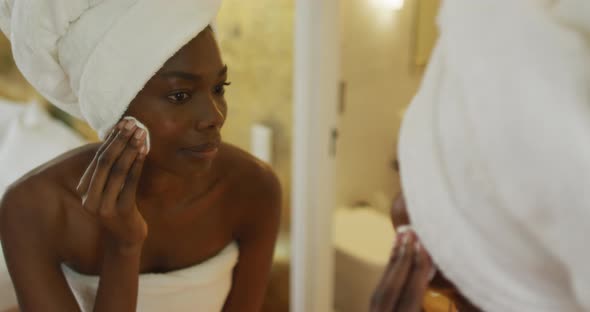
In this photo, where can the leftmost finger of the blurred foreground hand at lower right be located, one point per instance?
(393, 281)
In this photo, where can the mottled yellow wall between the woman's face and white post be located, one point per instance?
(256, 39)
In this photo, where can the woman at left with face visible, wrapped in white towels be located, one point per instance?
(188, 225)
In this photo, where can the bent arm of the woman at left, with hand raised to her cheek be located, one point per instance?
(32, 237)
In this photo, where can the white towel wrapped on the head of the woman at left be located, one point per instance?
(92, 57)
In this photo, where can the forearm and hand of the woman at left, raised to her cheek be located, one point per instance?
(108, 190)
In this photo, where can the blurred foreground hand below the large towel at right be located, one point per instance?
(406, 277)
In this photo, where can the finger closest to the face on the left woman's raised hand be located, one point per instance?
(119, 173)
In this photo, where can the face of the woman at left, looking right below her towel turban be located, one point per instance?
(184, 108)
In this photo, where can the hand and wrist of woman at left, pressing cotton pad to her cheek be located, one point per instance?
(109, 185)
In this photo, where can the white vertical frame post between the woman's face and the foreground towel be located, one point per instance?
(315, 106)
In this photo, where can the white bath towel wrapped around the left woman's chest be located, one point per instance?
(203, 287)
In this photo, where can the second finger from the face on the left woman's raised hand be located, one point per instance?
(104, 163)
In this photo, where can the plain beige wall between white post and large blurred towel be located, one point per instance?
(381, 75)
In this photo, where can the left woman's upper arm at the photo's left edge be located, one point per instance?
(29, 241)
